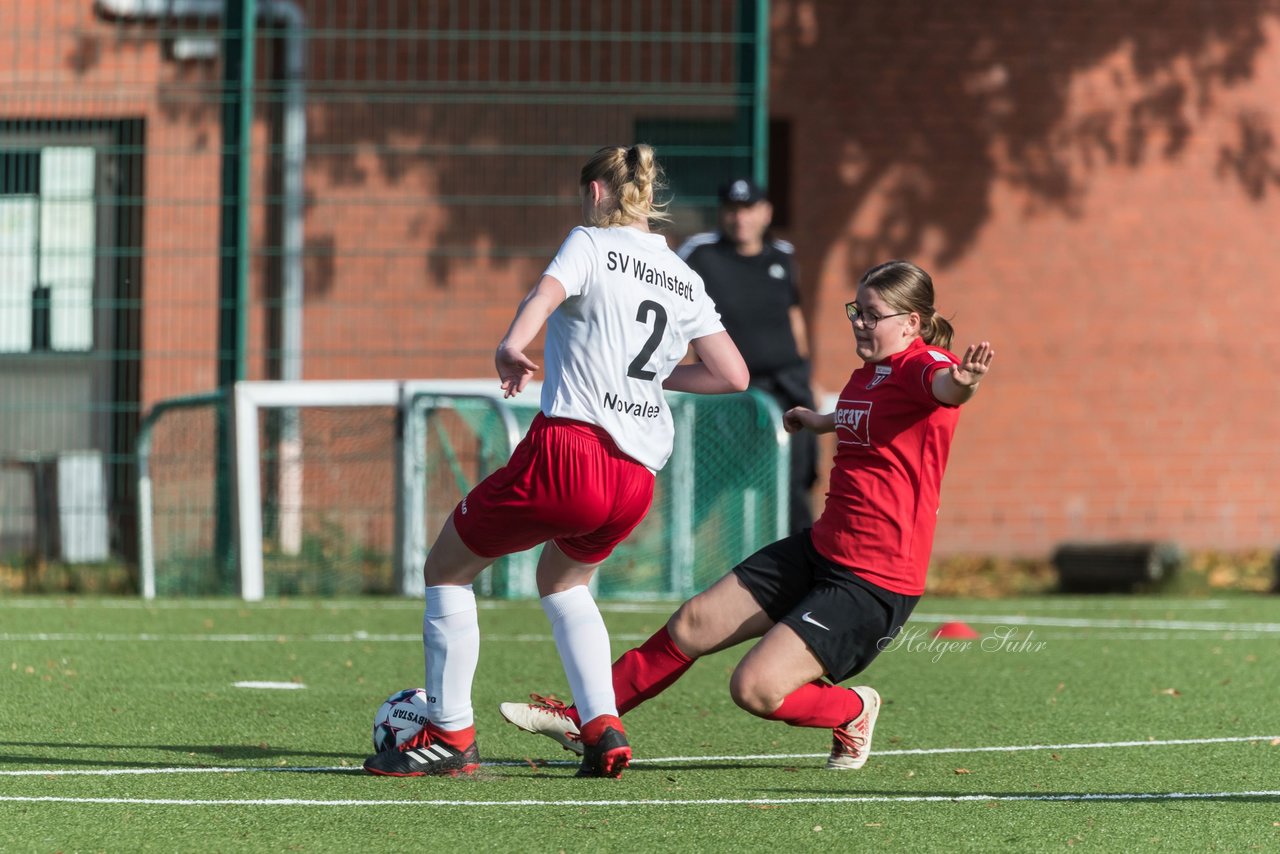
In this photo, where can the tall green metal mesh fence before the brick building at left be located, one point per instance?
(196, 191)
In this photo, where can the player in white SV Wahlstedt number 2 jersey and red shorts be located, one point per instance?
(621, 312)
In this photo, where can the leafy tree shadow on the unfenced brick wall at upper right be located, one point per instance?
(932, 109)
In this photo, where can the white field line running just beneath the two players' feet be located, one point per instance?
(913, 752)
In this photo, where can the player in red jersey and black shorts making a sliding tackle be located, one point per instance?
(826, 601)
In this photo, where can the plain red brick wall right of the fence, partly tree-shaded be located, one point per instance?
(1095, 191)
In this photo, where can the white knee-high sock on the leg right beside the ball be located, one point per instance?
(451, 641)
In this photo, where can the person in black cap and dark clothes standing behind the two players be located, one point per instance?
(753, 281)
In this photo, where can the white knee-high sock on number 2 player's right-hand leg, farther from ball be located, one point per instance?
(584, 647)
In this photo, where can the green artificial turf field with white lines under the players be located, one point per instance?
(1110, 724)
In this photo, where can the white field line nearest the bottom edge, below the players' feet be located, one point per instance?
(675, 802)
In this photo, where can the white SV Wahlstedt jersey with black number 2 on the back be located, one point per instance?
(633, 308)
